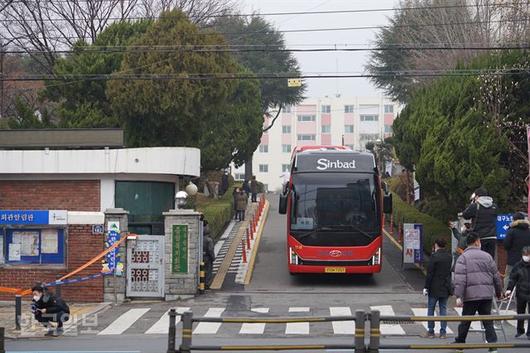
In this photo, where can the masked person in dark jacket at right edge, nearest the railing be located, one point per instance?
(520, 278)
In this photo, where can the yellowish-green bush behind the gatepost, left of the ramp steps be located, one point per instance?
(218, 213)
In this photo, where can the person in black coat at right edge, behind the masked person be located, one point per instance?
(517, 237)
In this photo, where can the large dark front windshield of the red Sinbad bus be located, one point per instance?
(338, 203)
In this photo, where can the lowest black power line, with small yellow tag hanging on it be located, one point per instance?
(281, 76)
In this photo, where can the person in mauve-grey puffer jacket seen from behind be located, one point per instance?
(477, 281)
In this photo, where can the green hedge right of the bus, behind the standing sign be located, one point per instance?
(432, 227)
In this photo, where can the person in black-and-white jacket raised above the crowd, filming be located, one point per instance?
(483, 213)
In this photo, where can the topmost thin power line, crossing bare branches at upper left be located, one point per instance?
(293, 13)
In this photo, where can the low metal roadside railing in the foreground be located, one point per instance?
(358, 345)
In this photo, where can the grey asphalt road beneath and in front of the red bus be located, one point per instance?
(272, 288)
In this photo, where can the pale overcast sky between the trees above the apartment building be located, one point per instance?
(328, 62)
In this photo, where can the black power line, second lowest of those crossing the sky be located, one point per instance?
(226, 49)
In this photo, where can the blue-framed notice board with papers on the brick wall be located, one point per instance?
(33, 246)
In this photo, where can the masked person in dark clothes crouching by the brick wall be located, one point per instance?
(47, 308)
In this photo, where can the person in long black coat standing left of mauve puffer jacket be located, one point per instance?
(438, 285)
